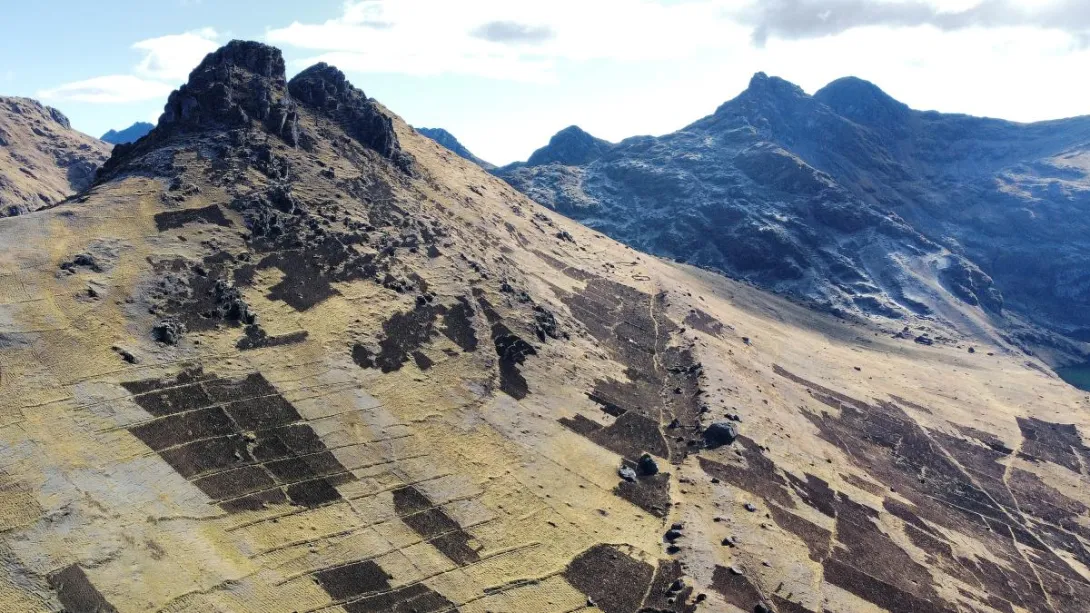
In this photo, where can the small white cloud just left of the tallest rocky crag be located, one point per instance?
(166, 63)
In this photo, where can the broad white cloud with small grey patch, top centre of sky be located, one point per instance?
(505, 40)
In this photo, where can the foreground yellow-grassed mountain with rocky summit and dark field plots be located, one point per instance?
(290, 355)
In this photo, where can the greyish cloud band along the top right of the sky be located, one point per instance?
(813, 19)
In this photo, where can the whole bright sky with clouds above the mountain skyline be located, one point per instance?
(504, 76)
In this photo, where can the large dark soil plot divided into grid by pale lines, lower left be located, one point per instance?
(239, 441)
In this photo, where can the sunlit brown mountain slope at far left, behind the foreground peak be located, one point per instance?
(43, 160)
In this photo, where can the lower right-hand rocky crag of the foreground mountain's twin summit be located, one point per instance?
(325, 90)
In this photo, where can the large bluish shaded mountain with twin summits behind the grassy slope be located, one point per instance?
(855, 202)
